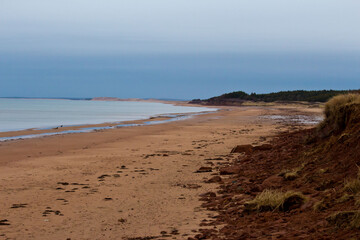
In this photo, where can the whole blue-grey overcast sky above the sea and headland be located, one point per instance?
(176, 49)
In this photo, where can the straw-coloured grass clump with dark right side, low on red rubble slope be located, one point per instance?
(270, 200)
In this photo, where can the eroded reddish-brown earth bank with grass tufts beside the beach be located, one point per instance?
(318, 168)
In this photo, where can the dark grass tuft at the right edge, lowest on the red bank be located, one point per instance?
(345, 219)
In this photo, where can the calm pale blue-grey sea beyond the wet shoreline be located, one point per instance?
(20, 114)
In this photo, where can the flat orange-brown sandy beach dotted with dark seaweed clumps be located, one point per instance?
(129, 183)
